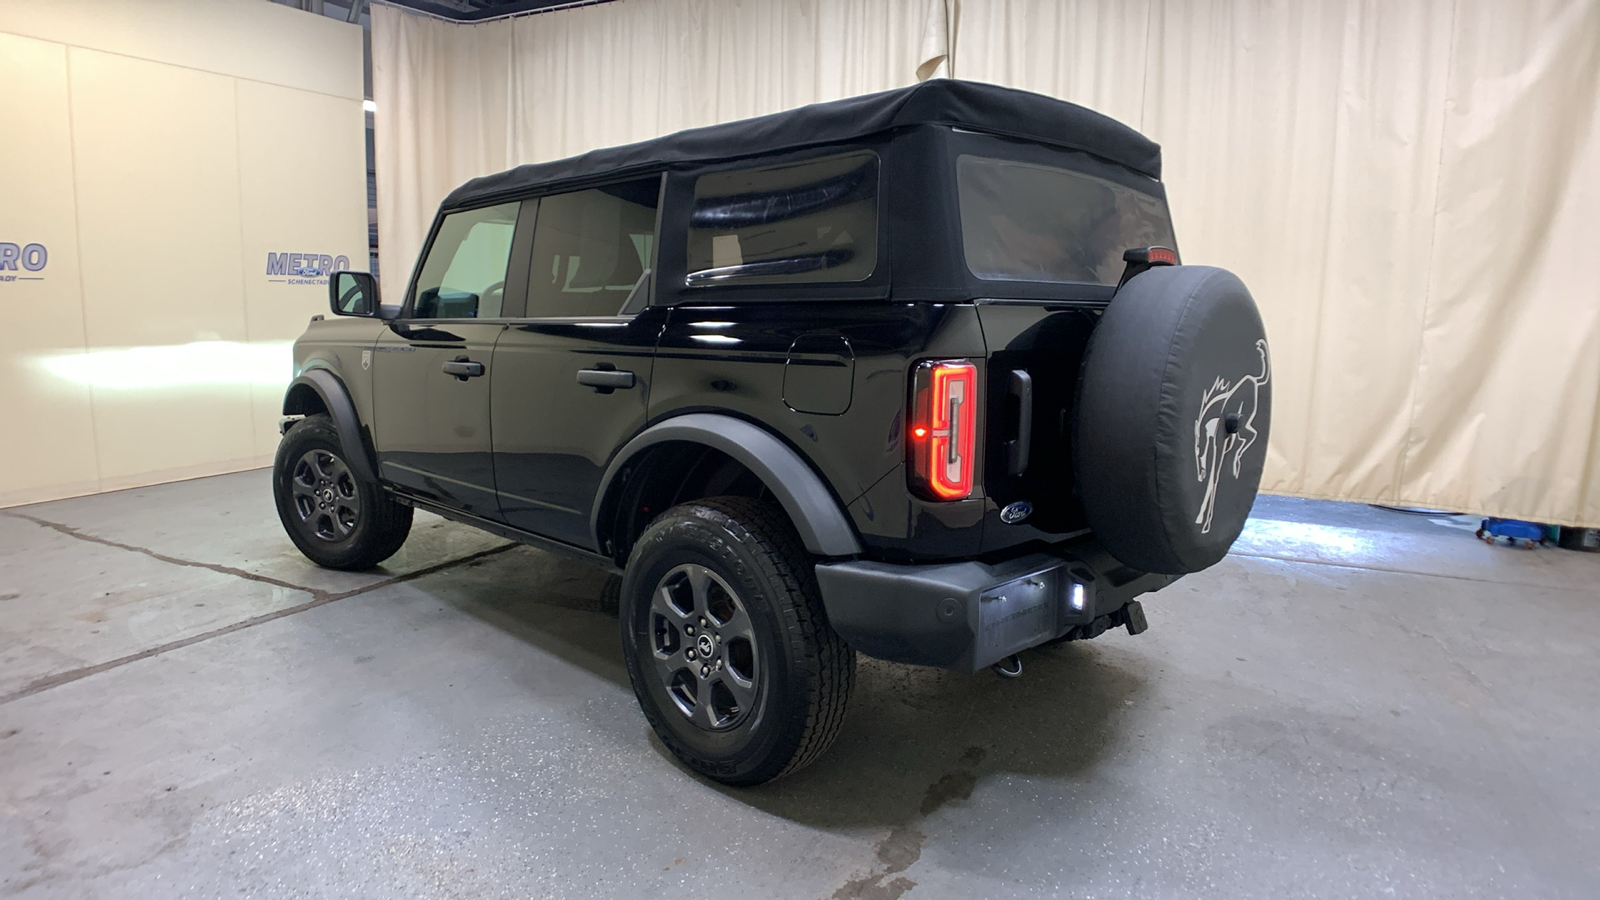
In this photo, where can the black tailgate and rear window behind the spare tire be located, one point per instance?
(1044, 235)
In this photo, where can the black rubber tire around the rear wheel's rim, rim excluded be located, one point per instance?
(809, 672)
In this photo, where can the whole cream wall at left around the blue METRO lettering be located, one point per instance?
(164, 150)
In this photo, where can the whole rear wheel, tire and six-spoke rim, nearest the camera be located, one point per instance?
(727, 645)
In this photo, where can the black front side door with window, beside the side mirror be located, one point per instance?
(433, 366)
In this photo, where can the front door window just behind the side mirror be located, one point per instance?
(465, 273)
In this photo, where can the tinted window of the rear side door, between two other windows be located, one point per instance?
(591, 249)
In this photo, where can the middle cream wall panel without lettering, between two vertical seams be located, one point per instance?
(159, 222)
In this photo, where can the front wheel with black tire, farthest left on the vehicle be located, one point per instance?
(335, 518)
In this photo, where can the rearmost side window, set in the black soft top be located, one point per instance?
(809, 222)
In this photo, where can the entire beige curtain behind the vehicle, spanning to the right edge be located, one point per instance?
(1409, 188)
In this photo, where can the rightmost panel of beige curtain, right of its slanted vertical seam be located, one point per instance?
(1508, 404)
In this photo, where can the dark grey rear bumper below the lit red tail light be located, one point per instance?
(970, 616)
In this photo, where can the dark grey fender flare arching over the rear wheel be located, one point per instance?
(814, 510)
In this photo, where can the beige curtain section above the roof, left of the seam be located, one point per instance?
(457, 100)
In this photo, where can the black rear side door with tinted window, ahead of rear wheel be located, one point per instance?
(572, 374)
